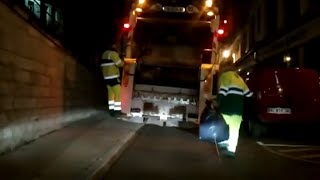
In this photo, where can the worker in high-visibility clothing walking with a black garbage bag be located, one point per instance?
(232, 91)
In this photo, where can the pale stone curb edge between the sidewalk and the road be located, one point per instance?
(104, 166)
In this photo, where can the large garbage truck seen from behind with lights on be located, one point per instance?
(169, 48)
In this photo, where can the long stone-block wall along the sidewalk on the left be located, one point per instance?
(42, 88)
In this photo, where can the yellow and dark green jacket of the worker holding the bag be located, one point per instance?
(231, 92)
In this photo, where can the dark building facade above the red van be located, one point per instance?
(277, 33)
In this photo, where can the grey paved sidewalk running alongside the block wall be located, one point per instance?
(83, 150)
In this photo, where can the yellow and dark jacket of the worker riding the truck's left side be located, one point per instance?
(110, 64)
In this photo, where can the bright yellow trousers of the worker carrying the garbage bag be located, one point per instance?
(234, 122)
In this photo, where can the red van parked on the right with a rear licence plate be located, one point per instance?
(282, 95)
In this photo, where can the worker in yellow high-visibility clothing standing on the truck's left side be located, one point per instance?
(110, 64)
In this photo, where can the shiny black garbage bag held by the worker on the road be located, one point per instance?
(213, 127)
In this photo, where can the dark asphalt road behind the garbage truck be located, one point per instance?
(171, 153)
